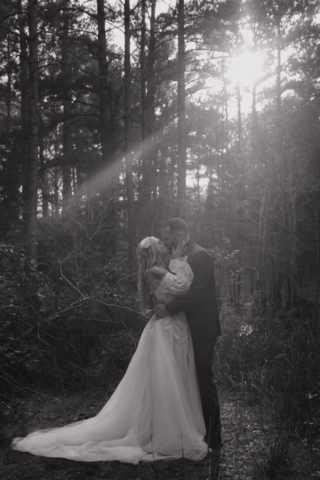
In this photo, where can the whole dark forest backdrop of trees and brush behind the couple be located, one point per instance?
(101, 142)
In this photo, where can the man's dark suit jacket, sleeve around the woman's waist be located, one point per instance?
(199, 303)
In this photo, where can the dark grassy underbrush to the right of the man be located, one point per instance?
(273, 362)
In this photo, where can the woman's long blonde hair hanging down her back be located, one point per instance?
(148, 255)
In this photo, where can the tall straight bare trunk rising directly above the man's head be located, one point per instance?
(182, 149)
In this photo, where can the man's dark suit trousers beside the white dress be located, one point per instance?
(203, 356)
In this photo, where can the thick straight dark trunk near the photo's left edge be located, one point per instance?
(31, 199)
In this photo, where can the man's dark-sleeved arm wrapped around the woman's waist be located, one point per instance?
(202, 267)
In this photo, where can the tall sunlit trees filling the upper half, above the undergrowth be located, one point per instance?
(208, 110)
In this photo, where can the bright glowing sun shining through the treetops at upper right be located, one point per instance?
(246, 68)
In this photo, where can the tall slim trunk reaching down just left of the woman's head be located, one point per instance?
(127, 138)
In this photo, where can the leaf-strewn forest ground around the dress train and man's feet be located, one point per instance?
(252, 449)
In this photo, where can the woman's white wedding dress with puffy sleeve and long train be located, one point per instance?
(155, 412)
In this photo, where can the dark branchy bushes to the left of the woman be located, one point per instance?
(66, 325)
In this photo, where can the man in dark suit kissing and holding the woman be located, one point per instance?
(200, 307)
